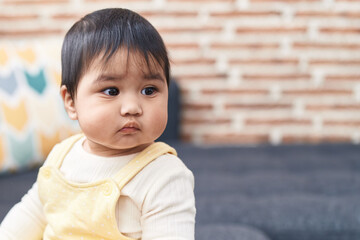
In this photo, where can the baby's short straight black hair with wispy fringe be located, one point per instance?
(105, 32)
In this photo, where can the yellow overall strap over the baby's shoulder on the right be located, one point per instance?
(145, 157)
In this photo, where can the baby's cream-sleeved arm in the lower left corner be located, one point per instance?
(25, 220)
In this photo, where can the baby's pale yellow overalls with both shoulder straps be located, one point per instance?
(76, 211)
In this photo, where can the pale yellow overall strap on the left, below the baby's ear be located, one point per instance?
(60, 150)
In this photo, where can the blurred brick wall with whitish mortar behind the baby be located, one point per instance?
(250, 71)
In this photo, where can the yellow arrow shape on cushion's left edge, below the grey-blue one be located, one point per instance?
(15, 116)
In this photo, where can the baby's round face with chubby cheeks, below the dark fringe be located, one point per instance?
(122, 106)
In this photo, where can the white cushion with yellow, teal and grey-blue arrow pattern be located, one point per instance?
(32, 116)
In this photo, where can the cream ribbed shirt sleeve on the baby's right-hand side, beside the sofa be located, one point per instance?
(169, 208)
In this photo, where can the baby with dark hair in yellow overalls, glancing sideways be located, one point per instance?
(112, 181)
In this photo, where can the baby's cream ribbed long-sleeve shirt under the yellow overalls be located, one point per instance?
(165, 185)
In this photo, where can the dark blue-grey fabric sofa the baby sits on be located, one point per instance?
(298, 192)
